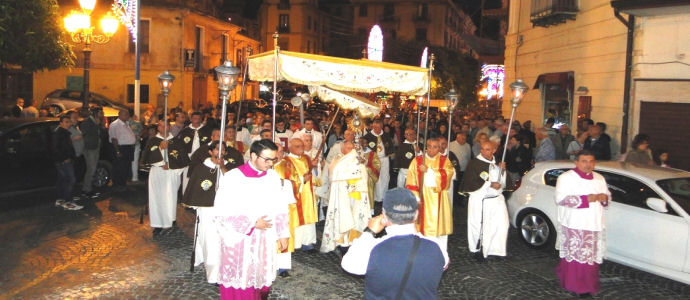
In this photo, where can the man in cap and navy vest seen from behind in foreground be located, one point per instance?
(403, 264)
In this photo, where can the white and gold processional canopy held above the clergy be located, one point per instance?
(342, 74)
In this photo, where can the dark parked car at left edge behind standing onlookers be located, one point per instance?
(25, 157)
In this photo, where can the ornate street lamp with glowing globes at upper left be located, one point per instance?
(78, 24)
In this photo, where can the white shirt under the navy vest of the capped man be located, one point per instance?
(356, 259)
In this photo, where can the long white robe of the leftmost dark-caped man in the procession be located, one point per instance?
(163, 185)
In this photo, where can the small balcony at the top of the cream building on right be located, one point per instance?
(546, 13)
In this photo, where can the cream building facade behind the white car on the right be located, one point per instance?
(620, 62)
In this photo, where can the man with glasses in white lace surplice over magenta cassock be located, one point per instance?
(252, 218)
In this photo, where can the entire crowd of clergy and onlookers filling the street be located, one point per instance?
(258, 192)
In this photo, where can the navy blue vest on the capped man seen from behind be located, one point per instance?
(387, 264)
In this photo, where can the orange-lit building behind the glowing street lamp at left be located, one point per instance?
(186, 40)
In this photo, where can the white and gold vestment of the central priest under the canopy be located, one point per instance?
(345, 212)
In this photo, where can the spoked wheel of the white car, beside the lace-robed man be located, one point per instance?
(536, 230)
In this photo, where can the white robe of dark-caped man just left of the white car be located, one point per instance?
(487, 213)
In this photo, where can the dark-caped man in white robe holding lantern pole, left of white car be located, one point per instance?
(487, 214)
